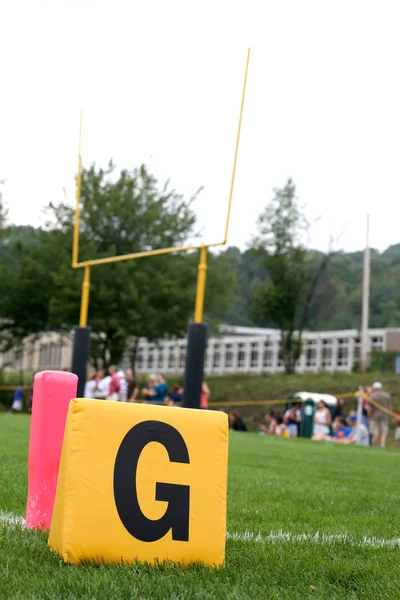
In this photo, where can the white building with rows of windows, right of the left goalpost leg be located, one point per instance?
(255, 350)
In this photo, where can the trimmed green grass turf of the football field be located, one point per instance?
(293, 486)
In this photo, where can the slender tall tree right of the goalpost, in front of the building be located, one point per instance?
(285, 298)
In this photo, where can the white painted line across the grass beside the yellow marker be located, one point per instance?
(12, 520)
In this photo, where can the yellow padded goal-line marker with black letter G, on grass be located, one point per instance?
(141, 482)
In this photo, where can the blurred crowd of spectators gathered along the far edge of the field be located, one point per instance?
(367, 427)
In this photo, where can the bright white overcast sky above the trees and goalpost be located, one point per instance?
(160, 83)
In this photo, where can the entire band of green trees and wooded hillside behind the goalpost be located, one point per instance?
(276, 282)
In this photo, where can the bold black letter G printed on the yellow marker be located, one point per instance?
(176, 517)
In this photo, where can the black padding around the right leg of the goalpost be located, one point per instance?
(194, 369)
